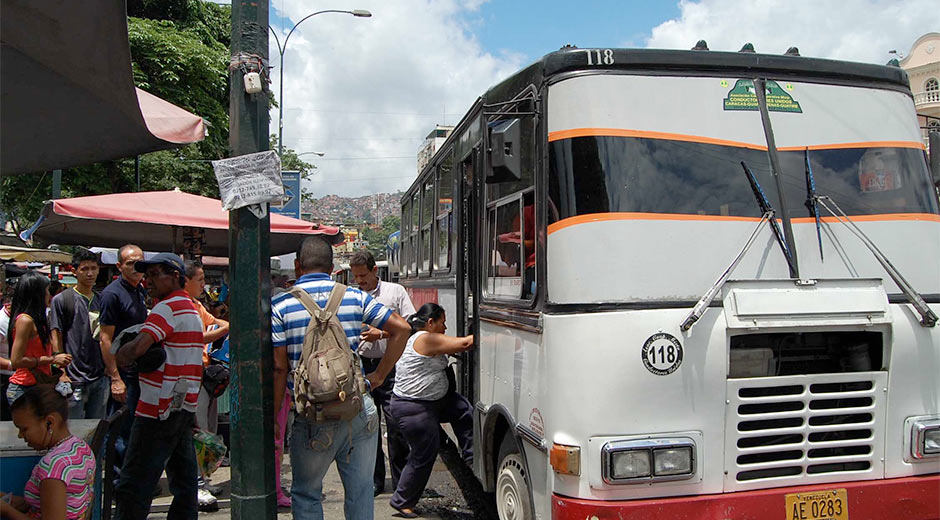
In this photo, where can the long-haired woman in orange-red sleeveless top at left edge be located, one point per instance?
(29, 336)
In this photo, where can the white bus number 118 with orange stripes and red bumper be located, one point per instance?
(702, 285)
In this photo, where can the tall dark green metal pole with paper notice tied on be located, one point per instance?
(252, 406)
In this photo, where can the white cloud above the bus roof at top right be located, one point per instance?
(854, 30)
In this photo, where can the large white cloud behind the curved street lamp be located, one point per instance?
(372, 88)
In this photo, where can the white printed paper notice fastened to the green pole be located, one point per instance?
(249, 179)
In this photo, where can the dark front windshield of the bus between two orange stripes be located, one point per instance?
(600, 174)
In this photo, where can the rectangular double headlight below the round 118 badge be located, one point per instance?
(643, 460)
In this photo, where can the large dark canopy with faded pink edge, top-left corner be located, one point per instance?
(67, 91)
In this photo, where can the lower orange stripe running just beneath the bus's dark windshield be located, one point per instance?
(604, 217)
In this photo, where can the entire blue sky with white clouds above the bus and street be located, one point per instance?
(366, 91)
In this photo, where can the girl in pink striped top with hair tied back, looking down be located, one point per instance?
(60, 487)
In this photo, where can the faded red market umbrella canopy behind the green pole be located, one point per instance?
(158, 221)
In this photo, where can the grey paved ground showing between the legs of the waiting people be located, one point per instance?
(453, 494)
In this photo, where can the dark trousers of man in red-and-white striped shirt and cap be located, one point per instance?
(154, 446)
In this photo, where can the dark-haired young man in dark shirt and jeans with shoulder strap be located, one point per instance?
(74, 322)
